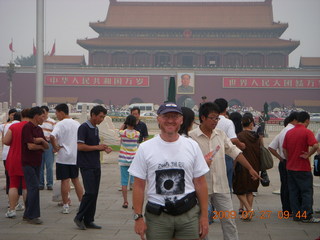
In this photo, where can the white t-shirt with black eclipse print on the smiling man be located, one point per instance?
(168, 167)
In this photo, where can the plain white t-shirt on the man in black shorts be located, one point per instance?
(66, 133)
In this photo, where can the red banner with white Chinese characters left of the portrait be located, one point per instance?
(96, 81)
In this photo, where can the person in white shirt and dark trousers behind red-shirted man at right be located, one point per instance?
(275, 147)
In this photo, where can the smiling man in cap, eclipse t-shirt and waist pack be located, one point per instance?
(173, 168)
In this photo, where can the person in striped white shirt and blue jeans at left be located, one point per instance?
(47, 155)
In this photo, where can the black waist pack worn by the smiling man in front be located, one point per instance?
(179, 207)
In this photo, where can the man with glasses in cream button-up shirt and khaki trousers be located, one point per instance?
(211, 139)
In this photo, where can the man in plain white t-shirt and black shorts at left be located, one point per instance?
(64, 141)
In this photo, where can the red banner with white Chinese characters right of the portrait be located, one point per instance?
(281, 83)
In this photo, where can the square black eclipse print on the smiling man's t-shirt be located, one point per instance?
(170, 181)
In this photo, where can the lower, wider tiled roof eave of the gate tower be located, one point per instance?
(144, 43)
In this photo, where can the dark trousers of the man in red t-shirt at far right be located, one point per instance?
(300, 185)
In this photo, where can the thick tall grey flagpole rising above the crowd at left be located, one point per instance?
(39, 58)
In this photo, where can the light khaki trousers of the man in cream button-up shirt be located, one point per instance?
(223, 202)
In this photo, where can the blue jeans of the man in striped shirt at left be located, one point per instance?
(47, 161)
